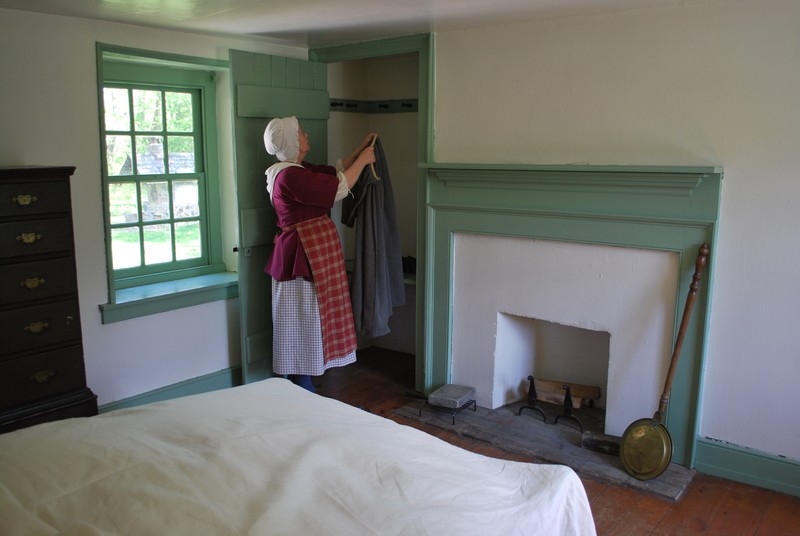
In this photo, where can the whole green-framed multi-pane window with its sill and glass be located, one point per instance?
(161, 189)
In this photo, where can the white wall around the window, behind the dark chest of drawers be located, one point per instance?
(49, 115)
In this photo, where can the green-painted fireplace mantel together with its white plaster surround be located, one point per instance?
(605, 248)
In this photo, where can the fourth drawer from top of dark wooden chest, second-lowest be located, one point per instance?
(29, 328)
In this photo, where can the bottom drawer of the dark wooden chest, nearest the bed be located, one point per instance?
(40, 376)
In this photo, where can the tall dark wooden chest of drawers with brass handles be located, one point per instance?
(42, 374)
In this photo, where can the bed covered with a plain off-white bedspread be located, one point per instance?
(270, 458)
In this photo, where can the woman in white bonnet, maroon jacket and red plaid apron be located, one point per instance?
(312, 316)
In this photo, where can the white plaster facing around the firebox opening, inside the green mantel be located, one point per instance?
(629, 293)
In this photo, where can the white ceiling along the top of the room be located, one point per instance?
(324, 22)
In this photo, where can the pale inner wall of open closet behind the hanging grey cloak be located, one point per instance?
(382, 79)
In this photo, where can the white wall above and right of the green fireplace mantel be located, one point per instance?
(701, 83)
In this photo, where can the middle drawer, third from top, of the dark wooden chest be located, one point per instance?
(36, 280)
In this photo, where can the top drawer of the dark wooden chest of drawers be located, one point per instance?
(30, 198)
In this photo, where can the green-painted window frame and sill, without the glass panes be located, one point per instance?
(134, 293)
